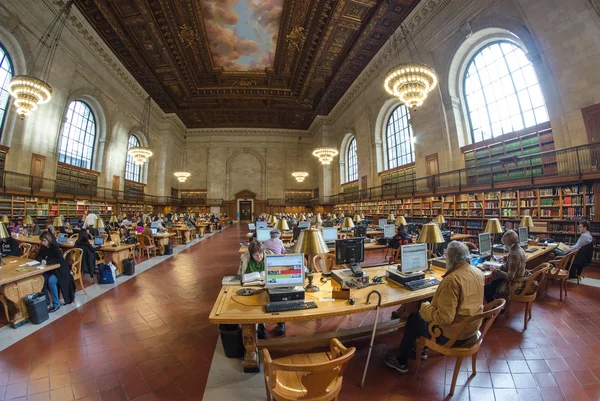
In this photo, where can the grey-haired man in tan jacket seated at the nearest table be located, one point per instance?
(458, 297)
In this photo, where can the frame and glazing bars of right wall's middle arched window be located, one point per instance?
(399, 134)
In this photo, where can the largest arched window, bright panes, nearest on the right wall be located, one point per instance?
(502, 92)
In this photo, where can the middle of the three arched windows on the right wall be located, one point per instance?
(399, 138)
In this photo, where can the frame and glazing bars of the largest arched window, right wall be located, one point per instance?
(514, 88)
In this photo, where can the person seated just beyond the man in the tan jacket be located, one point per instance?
(512, 269)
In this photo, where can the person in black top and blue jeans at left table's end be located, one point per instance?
(51, 254)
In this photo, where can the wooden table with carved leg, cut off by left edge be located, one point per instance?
(17, 281)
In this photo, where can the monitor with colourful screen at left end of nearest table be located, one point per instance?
(284, 270)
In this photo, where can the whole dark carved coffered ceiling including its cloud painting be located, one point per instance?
(205, 59)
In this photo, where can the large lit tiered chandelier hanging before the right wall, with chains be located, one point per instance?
(410, 82)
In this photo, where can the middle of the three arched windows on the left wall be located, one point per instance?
(78, 137)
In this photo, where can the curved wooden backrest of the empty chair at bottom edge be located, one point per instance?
(317, 377)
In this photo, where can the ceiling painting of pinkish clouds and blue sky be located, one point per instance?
(242, 33)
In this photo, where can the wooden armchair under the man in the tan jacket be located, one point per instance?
(487, 317)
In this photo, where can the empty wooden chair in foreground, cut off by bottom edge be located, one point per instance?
(307, 377)
